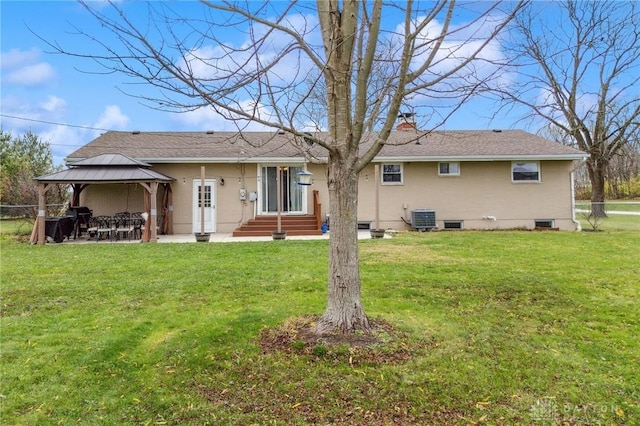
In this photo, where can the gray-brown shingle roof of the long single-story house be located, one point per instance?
(159, 147)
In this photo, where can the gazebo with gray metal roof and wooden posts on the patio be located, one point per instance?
(109, 169)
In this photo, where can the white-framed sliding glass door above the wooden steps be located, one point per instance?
(291, 194)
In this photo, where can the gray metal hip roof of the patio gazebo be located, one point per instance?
(106, 168)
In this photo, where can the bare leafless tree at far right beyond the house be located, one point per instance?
(579, 69)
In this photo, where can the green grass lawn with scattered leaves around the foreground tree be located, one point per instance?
(502, 328)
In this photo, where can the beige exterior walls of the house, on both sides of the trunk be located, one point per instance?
(483, 189)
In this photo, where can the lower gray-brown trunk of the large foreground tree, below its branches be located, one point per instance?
(344, 312)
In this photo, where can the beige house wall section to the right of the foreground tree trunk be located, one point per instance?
(483, 189)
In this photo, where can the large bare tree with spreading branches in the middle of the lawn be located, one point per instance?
(288, 54)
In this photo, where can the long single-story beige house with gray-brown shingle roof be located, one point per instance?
(490, 179)
